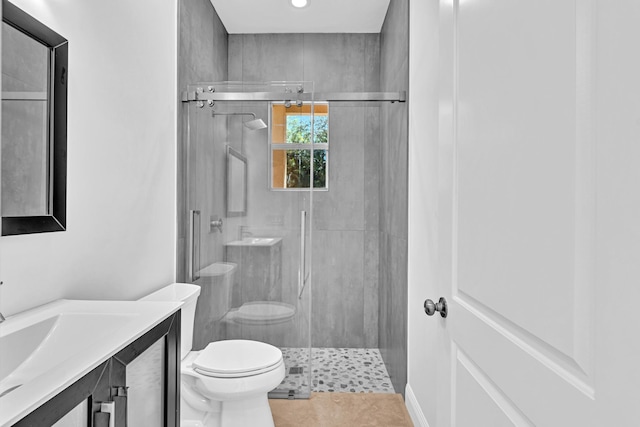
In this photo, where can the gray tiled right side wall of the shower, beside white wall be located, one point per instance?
(394, 76)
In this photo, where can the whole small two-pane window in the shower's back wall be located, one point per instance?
(299, 146)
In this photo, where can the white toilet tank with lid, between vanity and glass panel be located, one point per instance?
(188, 295)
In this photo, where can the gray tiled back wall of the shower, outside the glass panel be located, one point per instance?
(346, 218)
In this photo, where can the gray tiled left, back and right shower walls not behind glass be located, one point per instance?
(360, 225)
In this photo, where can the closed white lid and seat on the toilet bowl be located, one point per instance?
(237, 358)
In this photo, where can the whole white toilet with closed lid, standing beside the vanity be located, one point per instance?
(226, 384)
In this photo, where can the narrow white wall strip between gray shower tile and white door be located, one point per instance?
(421, 393)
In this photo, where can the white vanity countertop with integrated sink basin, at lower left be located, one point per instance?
(46, 349)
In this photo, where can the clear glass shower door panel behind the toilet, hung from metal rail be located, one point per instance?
(250, 204)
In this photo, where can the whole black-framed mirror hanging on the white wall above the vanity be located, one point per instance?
(34, 125)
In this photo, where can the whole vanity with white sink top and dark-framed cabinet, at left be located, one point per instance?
(91, 363)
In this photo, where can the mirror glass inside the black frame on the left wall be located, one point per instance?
(25, 124)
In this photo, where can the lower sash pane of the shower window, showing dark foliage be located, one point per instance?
(291, 168)
